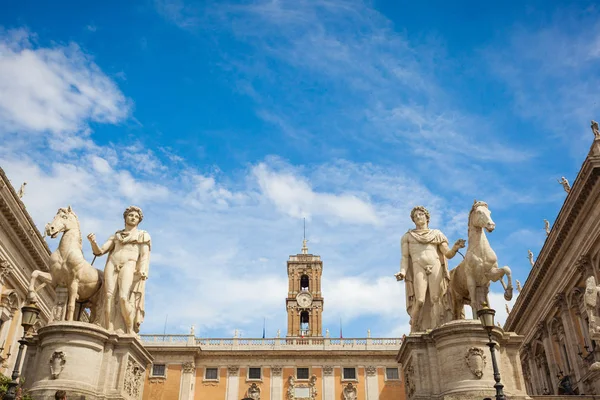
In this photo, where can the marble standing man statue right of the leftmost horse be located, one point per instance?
(125, 273)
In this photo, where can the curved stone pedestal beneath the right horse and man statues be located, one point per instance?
(454, 362)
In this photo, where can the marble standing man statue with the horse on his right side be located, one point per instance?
(425, 269)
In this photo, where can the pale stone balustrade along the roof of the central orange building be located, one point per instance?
(272, 343)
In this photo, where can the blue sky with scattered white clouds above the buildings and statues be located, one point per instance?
(228, 122)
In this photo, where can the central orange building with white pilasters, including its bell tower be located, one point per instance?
(302, 365)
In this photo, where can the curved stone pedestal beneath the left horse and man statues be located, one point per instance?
(85, 360)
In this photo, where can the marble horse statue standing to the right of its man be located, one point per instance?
(470, 280)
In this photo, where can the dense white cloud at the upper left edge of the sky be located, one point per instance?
(54, 89)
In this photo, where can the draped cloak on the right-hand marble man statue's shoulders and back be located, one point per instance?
(435, 237)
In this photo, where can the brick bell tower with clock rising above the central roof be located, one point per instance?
(304, 301)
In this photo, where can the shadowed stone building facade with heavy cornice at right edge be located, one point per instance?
(551, 312)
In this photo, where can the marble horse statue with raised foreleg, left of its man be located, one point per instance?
(69, 268)
